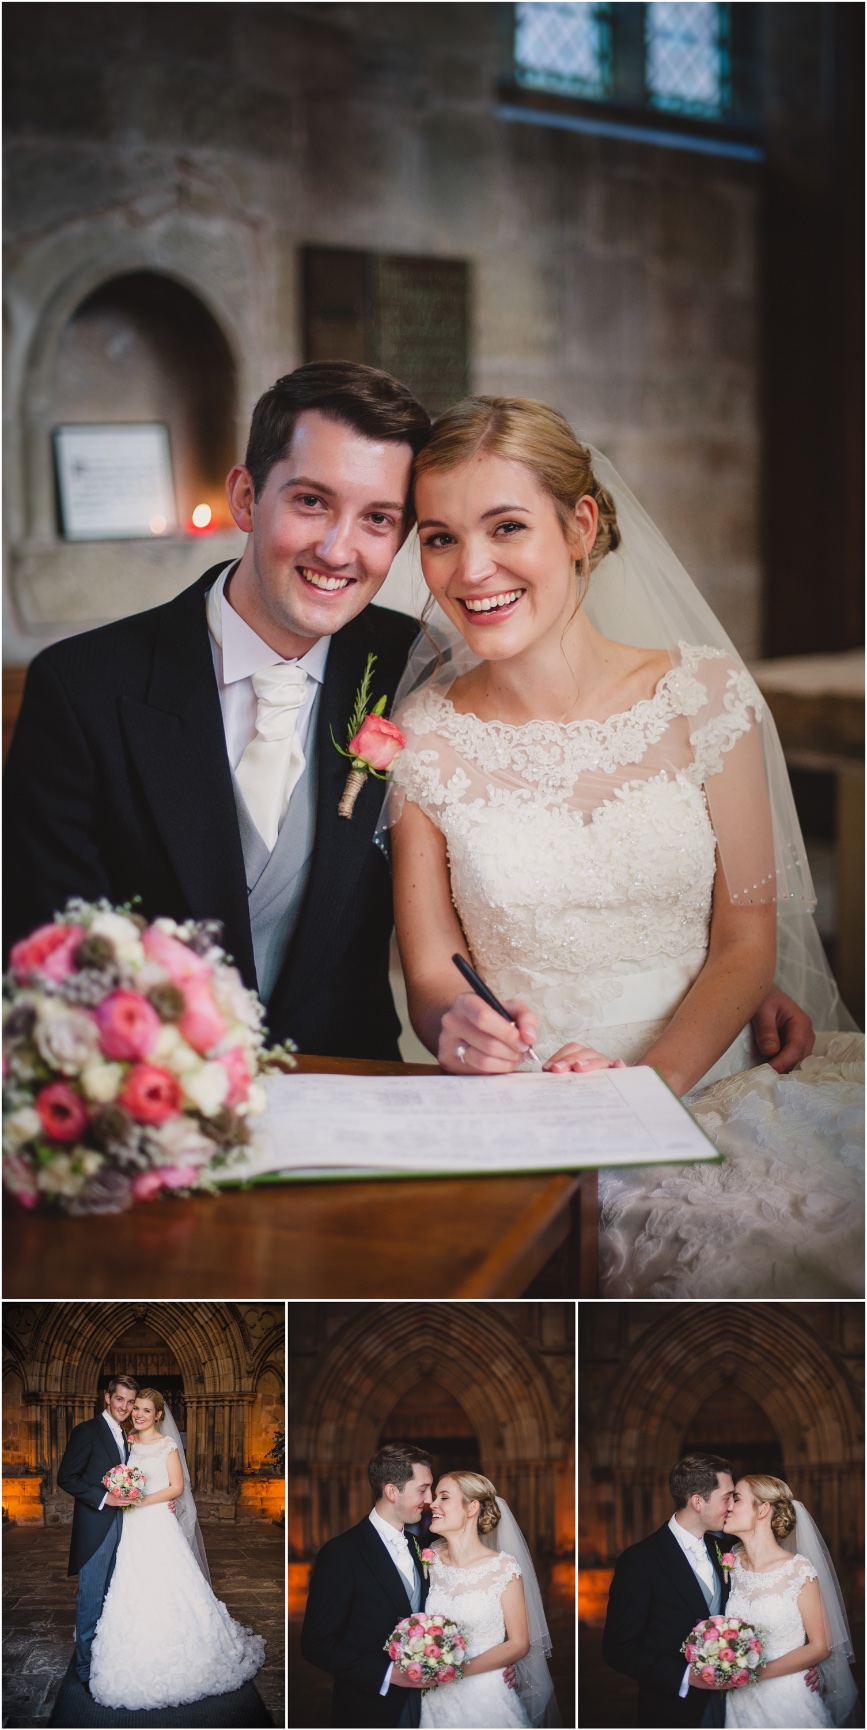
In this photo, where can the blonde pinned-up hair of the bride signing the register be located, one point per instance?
(544, 442)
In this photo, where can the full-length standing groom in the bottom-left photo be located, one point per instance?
(91, 1452)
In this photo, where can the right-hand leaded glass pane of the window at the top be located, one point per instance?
(688, 58)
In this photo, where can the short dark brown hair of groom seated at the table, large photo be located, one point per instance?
(368, 400)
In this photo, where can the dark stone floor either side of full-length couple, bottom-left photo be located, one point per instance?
(247, 1567)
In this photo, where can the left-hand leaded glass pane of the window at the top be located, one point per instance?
(565, 48)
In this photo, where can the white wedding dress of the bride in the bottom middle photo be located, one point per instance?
(473, 1598)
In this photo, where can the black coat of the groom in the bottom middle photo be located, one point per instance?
(356, 1601)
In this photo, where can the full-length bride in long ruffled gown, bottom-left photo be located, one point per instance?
(164, 1637)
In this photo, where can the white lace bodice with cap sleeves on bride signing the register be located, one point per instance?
(582, 855)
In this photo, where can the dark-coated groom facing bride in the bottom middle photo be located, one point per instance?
(363, 1586)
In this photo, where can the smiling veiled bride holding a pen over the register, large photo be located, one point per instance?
(594, 807)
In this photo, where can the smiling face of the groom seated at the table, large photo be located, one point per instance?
(321, 535)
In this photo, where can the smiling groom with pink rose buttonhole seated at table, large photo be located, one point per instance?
(129, 772)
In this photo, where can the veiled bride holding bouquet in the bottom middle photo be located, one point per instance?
(491, 1591)
